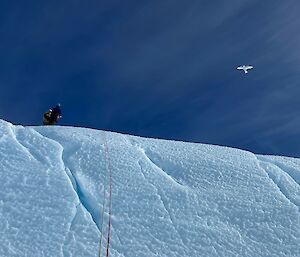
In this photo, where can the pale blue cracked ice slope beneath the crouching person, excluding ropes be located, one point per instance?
(168, 198)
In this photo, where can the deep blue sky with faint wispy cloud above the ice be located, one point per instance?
(164, 69)
